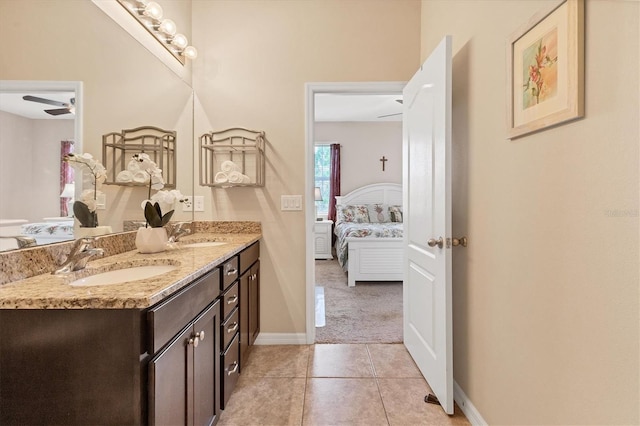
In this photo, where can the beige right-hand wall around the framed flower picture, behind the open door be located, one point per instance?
(546, 295)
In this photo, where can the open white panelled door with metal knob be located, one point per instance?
(427, 216)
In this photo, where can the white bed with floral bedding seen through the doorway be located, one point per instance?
(369, 233)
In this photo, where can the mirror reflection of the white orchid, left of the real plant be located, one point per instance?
(85, 209)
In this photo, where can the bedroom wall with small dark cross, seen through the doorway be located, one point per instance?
(362, 144)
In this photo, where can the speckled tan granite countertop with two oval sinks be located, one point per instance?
(49, 291)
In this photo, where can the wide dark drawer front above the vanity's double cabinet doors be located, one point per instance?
(167, 318)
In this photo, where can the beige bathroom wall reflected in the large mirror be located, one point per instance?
(124, 85)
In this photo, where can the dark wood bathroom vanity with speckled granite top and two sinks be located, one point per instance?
(161, 350)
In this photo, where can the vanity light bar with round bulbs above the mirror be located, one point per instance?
(149, 14)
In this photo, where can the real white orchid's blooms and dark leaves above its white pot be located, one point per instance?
(162, 199)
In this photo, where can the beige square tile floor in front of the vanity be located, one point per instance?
(333, 384)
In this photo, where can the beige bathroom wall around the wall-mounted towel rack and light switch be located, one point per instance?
(254, 60)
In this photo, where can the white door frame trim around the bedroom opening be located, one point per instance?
(311, 89)
